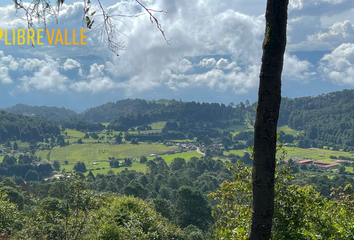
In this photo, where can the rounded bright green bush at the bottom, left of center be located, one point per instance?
(129, 217)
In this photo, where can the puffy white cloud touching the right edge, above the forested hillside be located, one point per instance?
(338, 66)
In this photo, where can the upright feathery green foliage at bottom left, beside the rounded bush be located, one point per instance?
(71, 218)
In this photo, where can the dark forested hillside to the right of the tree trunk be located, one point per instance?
(328, 118)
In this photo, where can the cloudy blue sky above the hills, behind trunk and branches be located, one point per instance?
(213, 53)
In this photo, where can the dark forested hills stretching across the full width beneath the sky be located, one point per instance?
(325, 120)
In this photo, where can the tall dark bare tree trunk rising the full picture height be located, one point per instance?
(265, 129)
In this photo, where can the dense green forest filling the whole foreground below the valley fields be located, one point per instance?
(193, 200)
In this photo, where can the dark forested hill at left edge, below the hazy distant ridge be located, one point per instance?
(25, 128)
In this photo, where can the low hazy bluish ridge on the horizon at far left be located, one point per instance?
(50, 113)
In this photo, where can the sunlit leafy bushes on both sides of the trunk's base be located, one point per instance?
(300, 212)
